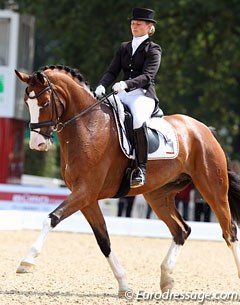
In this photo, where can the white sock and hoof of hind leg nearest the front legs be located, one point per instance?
(168, 265)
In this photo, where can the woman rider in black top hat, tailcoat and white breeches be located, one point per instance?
(140, 60)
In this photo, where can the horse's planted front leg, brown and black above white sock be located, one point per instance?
(95, 218)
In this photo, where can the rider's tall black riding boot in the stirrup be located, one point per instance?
(141, 152)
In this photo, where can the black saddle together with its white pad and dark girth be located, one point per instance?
(162, 139)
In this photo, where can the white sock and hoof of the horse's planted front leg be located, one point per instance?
(118, 272)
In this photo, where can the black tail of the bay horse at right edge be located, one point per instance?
(234, 188)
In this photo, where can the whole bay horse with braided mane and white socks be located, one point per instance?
(93, 165)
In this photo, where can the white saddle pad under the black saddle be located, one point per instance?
(168, 142)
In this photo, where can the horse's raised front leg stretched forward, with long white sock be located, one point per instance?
(67, 208)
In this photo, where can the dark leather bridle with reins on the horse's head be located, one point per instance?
(57, 125)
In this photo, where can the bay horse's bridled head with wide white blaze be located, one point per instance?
(45, 108)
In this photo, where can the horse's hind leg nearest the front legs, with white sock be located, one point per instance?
(163, 204)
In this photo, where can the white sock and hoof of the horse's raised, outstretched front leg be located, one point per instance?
(29, 260)
